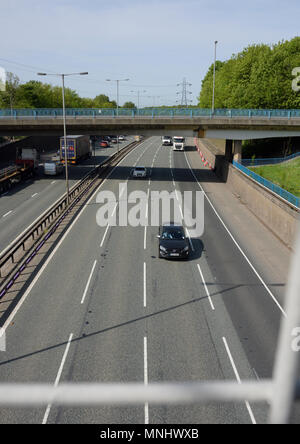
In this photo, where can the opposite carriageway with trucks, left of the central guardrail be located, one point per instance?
(24, 203)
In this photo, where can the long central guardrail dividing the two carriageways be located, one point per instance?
(20, 253)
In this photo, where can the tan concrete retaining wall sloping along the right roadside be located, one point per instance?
(272, 211)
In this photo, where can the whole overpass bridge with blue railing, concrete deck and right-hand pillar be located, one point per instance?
(234, 125)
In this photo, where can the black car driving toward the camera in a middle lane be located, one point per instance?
(173, 242)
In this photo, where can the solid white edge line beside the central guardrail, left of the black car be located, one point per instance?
(27, 292)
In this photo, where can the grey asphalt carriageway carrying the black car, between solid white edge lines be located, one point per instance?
(106, 309)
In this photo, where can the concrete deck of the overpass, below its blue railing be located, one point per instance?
(223, 127)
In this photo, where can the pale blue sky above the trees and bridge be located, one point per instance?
(154, 43)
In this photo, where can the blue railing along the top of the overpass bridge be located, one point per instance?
(148, 112)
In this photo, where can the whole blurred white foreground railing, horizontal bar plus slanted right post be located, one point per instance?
(279, 392)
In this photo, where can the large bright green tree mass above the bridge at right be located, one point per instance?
(258, 77)
